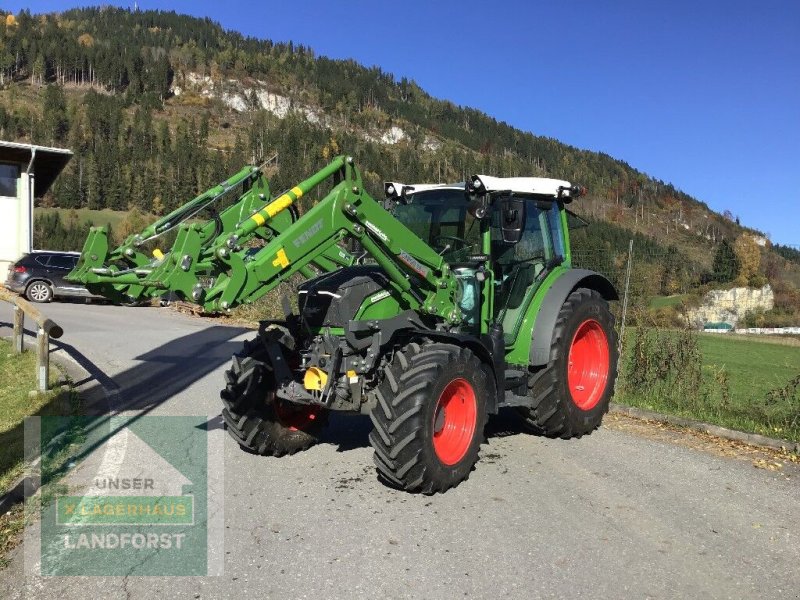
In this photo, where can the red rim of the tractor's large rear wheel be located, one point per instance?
(587, 371)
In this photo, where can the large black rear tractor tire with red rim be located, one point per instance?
(559, 408)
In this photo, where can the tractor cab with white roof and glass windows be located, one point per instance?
(501, 236)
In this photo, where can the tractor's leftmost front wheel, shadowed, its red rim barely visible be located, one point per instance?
(254, 417)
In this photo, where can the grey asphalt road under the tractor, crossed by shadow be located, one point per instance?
(613, 515)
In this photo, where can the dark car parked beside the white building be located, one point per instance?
(40, 276)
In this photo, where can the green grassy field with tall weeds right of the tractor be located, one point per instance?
(745, 383)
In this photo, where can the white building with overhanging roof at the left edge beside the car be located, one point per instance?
(26, 171)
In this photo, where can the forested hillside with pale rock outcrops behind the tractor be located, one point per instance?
(157, 106)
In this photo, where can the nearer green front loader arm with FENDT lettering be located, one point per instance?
(235, 274)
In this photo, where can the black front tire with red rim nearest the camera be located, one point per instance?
(410, 453)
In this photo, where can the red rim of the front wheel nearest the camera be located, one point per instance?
(454, 421)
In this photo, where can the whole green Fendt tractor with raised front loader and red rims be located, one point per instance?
(429, 311)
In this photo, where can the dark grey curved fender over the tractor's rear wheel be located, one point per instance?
(553, 301)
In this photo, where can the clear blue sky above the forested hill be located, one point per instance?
(703, 94)
